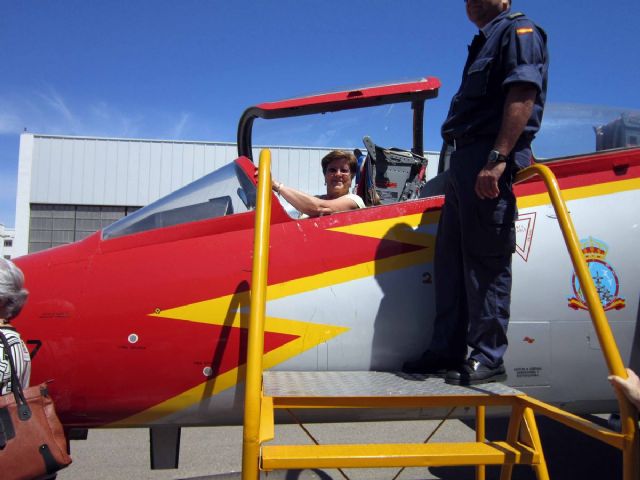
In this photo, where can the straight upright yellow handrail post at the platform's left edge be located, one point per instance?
(255, 343)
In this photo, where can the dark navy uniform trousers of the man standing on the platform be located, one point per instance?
(472, 266)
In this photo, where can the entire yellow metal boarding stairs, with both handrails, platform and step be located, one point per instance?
(267, 392)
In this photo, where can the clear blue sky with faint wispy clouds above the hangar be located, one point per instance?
(187, 69)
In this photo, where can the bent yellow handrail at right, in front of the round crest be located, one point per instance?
(603, 330)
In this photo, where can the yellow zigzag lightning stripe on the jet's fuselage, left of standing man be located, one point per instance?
(226, 311)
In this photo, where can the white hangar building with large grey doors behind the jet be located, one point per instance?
(69, 187)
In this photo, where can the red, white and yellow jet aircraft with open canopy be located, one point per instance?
(144, 324)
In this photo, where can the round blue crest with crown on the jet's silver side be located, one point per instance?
(604, 277)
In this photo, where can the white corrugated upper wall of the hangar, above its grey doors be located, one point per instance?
(101, 171)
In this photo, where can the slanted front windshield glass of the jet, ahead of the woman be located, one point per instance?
(222, 192)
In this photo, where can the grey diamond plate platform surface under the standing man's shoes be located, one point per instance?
(371, 384)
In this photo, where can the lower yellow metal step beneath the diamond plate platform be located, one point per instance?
(395, 455)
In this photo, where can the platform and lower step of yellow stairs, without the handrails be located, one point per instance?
(292, 390)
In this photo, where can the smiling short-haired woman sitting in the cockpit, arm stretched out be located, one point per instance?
(339, 168)
